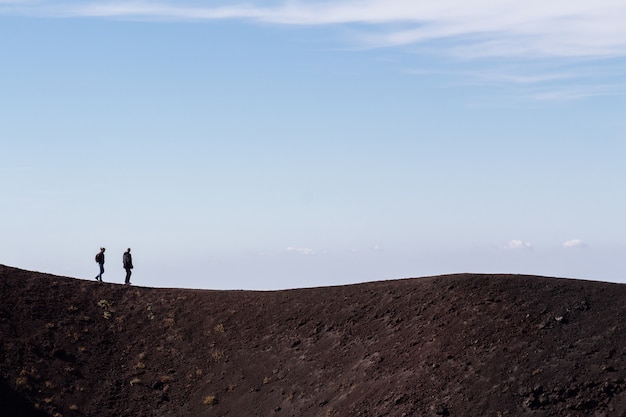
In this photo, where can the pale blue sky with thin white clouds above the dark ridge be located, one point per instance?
(271, 144)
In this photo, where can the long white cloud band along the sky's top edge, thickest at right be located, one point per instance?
(477, 29)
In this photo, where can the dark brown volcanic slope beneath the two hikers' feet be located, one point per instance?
(458, 345)
